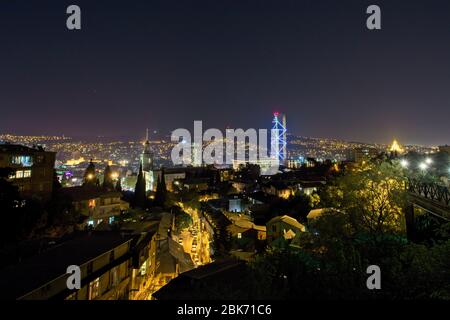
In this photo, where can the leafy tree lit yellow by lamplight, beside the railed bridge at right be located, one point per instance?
(374, 197)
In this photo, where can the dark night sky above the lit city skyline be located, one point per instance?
(163, 64)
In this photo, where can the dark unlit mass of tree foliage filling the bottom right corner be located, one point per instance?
(332, 262)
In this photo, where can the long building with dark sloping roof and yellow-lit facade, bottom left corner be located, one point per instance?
(103, 259)
